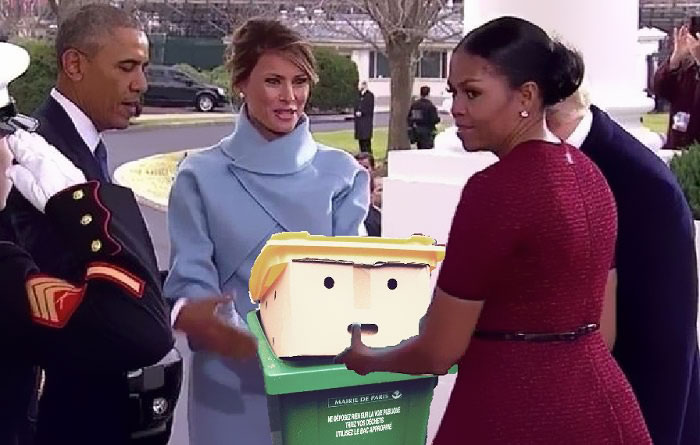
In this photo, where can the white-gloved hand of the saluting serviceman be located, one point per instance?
(42, 171)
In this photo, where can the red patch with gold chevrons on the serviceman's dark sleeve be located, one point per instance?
(52, 301)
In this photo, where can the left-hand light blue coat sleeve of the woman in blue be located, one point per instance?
(193, 273)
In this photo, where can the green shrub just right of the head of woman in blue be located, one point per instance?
(338, 79)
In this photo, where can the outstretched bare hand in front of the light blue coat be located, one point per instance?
(208, 331)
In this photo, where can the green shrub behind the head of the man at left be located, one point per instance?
(30, 89)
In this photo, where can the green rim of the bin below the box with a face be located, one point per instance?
(294, 376)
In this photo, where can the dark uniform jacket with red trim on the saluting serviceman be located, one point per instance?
(111, 321)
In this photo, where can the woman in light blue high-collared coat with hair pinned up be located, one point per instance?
(269, 176)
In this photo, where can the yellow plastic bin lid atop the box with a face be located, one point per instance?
(285, 247)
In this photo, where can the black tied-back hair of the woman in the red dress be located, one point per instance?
(523, 52)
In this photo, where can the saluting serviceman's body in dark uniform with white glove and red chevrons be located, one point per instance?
(113, 319)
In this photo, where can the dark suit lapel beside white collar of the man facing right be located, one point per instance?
(59, 130)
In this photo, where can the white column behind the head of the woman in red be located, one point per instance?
(606, 32)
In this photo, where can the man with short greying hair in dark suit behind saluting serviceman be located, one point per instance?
(101, 53)
